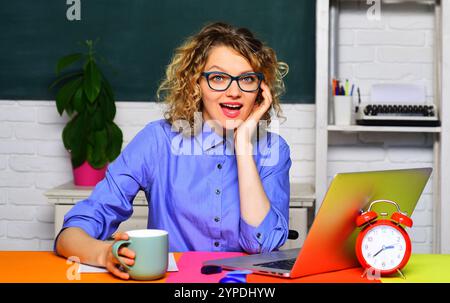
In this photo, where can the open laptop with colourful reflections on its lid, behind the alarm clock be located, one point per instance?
(330, 243)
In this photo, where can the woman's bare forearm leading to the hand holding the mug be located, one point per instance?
(74, 241)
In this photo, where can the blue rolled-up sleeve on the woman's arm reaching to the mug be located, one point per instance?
(110, 202)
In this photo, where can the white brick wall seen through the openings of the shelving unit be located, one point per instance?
(396, 48)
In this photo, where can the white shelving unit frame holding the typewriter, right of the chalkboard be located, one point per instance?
(327, 12)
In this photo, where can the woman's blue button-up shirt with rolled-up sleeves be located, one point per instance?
(192, 187)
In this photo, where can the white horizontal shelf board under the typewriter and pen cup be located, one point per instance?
(397, 129)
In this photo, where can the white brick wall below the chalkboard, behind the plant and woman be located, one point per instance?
(33, 160)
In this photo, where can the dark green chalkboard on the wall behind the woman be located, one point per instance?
(138, 37)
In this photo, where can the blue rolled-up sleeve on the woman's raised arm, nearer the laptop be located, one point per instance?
(272, 232)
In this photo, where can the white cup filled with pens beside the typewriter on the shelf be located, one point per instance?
(343, 102)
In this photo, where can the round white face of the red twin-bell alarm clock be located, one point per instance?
(383, 247)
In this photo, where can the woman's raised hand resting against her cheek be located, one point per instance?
(244, 133)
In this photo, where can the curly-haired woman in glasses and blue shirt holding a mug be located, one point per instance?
(217, 185)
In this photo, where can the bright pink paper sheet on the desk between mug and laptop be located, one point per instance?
(190, 264)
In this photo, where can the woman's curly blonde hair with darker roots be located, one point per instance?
(180, 88)
